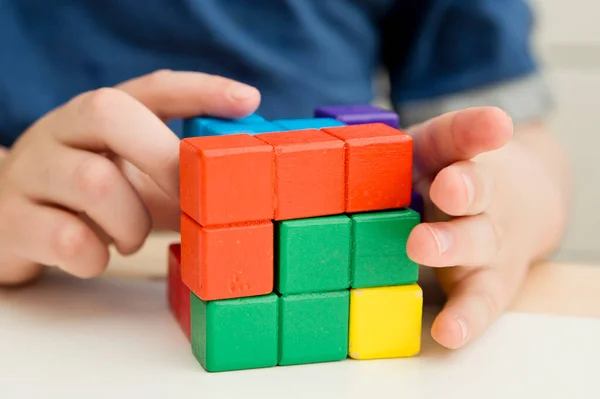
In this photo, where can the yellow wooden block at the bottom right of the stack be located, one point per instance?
(385, 322)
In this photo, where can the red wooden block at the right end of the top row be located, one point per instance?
(378, 167)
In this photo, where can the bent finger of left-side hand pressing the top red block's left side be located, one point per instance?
(110, 120)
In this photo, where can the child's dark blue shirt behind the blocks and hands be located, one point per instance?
(301, 54)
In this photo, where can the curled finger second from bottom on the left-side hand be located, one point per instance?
(89, 183)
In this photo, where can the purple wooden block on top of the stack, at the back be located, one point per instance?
(359, 114)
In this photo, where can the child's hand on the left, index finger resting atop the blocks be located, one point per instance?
(102, 169)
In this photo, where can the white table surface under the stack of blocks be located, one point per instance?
(115, 338)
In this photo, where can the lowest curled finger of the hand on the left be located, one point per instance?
(53, 237)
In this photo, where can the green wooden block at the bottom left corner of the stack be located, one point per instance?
(235, 334)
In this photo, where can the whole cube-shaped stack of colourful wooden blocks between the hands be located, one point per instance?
(293, 240)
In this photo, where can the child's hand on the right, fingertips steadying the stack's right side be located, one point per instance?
(493, 206)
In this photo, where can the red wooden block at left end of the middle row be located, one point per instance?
(227, 262)
